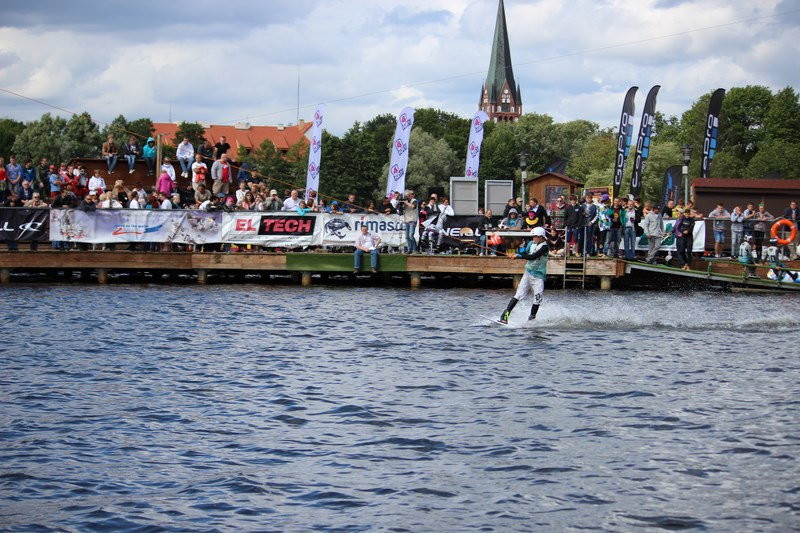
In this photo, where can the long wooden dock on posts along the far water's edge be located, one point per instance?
(394, 269)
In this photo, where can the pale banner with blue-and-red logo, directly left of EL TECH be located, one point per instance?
(135, 225)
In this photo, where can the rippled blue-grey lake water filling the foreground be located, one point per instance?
(287, 408)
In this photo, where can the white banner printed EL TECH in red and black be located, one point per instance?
(277, 230)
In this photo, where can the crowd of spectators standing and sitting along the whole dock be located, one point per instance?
(592, 226)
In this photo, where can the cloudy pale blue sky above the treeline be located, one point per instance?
(220, 62)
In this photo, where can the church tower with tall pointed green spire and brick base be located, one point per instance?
(500, 97)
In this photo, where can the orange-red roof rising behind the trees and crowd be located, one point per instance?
(246, 135)
